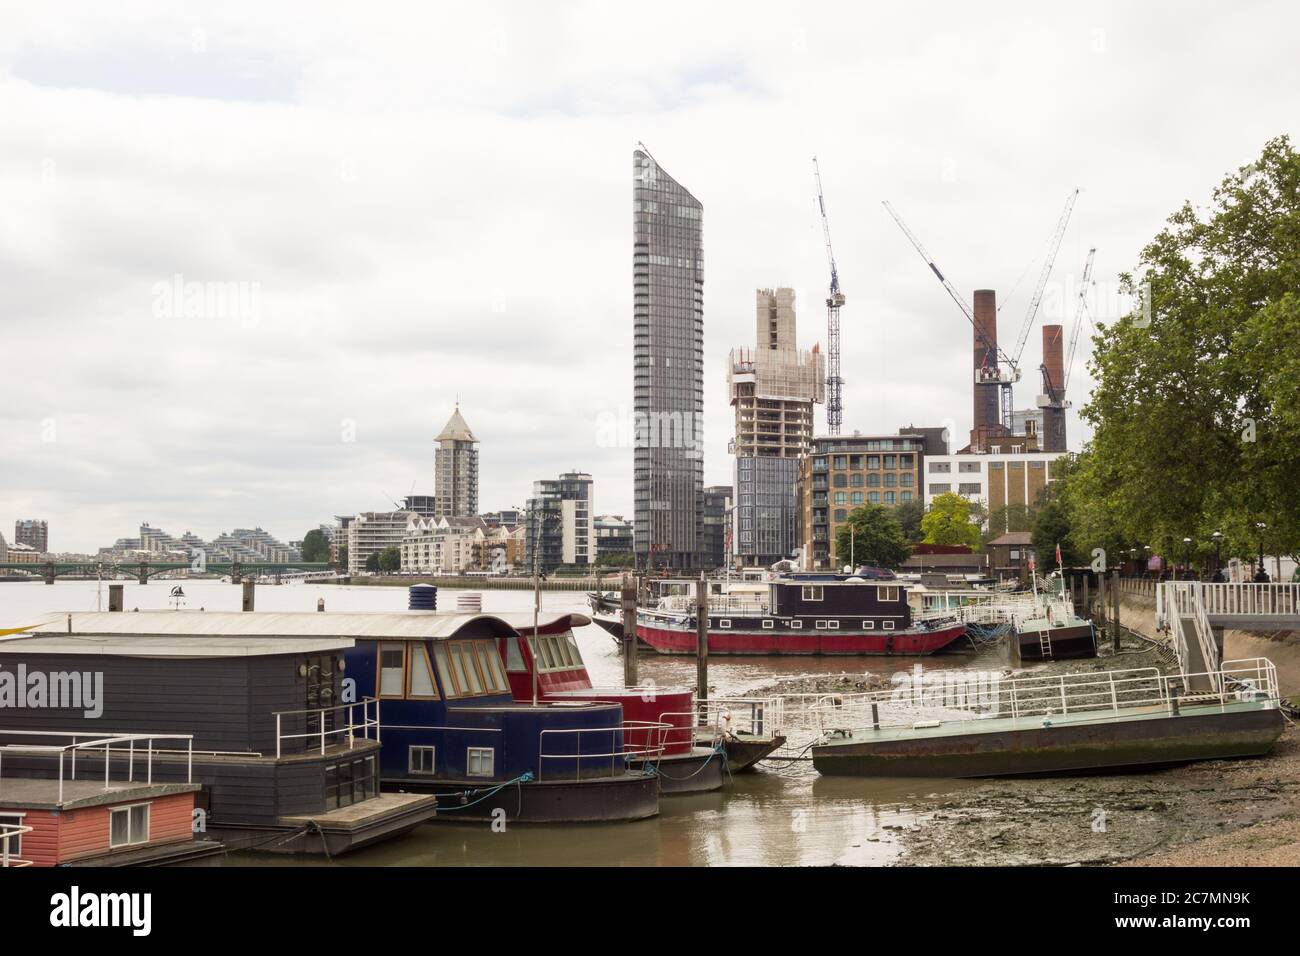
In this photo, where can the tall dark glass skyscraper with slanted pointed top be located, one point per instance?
(669, 362)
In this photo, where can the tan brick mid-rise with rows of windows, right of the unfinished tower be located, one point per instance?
(844, 473)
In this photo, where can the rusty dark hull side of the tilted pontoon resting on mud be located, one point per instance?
(1061, 749)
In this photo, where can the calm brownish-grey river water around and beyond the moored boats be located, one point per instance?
(783, 816)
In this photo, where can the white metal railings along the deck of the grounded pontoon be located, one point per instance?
(1117, 694)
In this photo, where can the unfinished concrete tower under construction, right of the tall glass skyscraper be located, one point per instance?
(773, 390)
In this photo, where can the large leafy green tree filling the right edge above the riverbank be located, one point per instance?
(1197, 410)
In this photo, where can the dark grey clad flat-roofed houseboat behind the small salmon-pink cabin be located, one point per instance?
(285, 759)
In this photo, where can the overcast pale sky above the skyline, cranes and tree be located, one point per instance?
(424, 204)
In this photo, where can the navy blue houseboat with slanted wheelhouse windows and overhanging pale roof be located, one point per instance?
(452, 726)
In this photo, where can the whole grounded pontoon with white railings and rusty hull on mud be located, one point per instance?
(1078, 724)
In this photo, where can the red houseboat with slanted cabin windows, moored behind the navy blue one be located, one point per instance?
(664, 723)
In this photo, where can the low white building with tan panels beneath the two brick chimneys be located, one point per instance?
(1008, 474)
